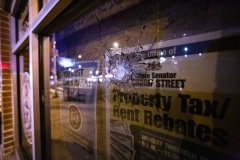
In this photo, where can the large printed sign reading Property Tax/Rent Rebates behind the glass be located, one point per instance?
(186, 109)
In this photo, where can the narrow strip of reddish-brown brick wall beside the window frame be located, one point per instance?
(5, 85)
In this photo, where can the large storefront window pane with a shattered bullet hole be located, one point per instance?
(146, 83)
